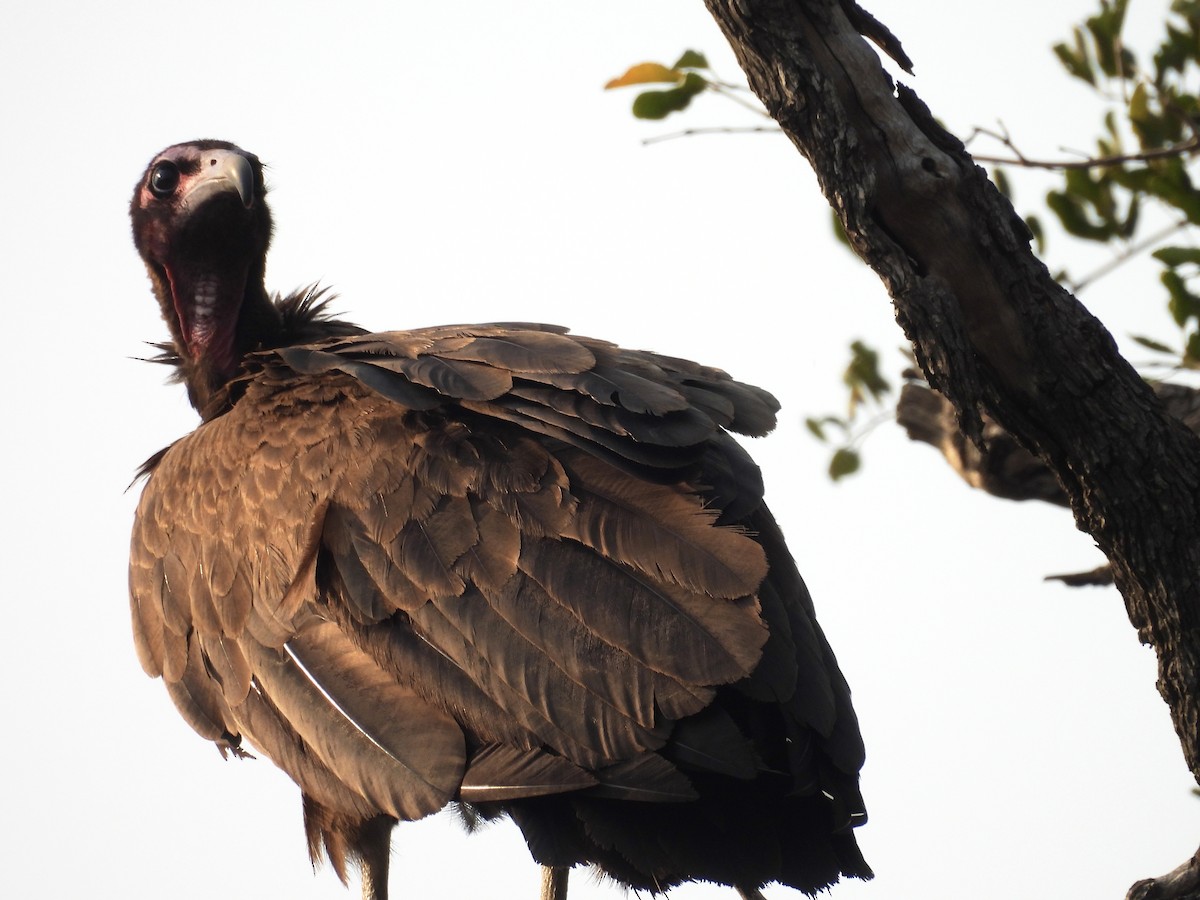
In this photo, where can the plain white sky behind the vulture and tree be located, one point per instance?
(459, 163)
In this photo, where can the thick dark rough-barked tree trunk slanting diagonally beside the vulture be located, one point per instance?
(991, 328)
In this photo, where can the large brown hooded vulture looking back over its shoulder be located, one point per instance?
(500, 567)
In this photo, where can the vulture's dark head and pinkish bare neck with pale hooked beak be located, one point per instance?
(202, 226)
